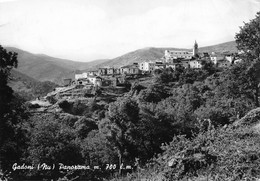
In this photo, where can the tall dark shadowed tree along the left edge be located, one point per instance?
(11, 113)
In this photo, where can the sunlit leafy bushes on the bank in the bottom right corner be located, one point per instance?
(219, 154)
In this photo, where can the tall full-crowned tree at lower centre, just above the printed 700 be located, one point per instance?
(119, 127)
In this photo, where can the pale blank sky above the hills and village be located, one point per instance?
(84, 30)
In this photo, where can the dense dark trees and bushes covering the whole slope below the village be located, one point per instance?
(178, 127)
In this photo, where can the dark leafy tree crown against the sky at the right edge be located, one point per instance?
(249, 37)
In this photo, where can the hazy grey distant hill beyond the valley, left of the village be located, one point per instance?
(46, 68)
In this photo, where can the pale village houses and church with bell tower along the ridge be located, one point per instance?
(171, 58)
